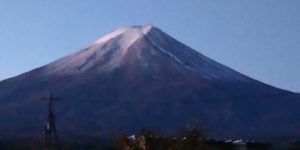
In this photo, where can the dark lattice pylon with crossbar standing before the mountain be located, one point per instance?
(50, 127)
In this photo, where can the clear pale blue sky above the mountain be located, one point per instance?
(259, 38)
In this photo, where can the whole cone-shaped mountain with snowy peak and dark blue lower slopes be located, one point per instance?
(139, 77)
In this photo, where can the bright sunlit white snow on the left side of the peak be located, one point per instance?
(121, 39)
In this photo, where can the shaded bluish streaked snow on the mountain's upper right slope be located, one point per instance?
(190, 58)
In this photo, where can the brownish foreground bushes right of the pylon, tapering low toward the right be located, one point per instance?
(188, 140)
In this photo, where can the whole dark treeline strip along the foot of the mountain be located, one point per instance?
(144, 140)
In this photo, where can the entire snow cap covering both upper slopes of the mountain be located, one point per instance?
(112, 50)
